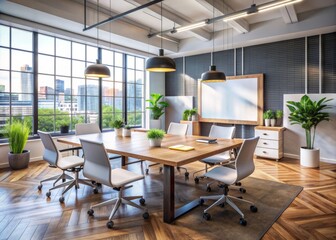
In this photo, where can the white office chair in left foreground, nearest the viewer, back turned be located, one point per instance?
(98, 168)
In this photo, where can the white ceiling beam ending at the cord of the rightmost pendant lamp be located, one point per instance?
(156, 9)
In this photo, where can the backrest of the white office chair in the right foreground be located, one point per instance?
(244, 160)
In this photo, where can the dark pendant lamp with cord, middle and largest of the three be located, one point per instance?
(160, 63)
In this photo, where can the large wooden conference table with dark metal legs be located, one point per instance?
(137, 146)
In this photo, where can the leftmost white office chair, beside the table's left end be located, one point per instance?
(70, 163)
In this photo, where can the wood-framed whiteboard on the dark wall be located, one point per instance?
(237, 100)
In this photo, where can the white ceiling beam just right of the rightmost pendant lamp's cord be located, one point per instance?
(240, 25)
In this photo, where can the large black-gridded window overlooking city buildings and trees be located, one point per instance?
(63, 94)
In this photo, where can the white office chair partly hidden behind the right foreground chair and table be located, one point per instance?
(226, 132)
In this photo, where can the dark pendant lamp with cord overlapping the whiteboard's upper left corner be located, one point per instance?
(213, 75)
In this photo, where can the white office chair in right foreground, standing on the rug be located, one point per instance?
(244, 167)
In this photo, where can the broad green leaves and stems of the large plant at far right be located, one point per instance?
(308, 114)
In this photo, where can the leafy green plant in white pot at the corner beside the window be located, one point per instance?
(156, 106)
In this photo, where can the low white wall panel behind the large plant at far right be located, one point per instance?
(325, 139)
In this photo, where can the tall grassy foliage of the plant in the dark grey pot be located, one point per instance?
(17, 134)
